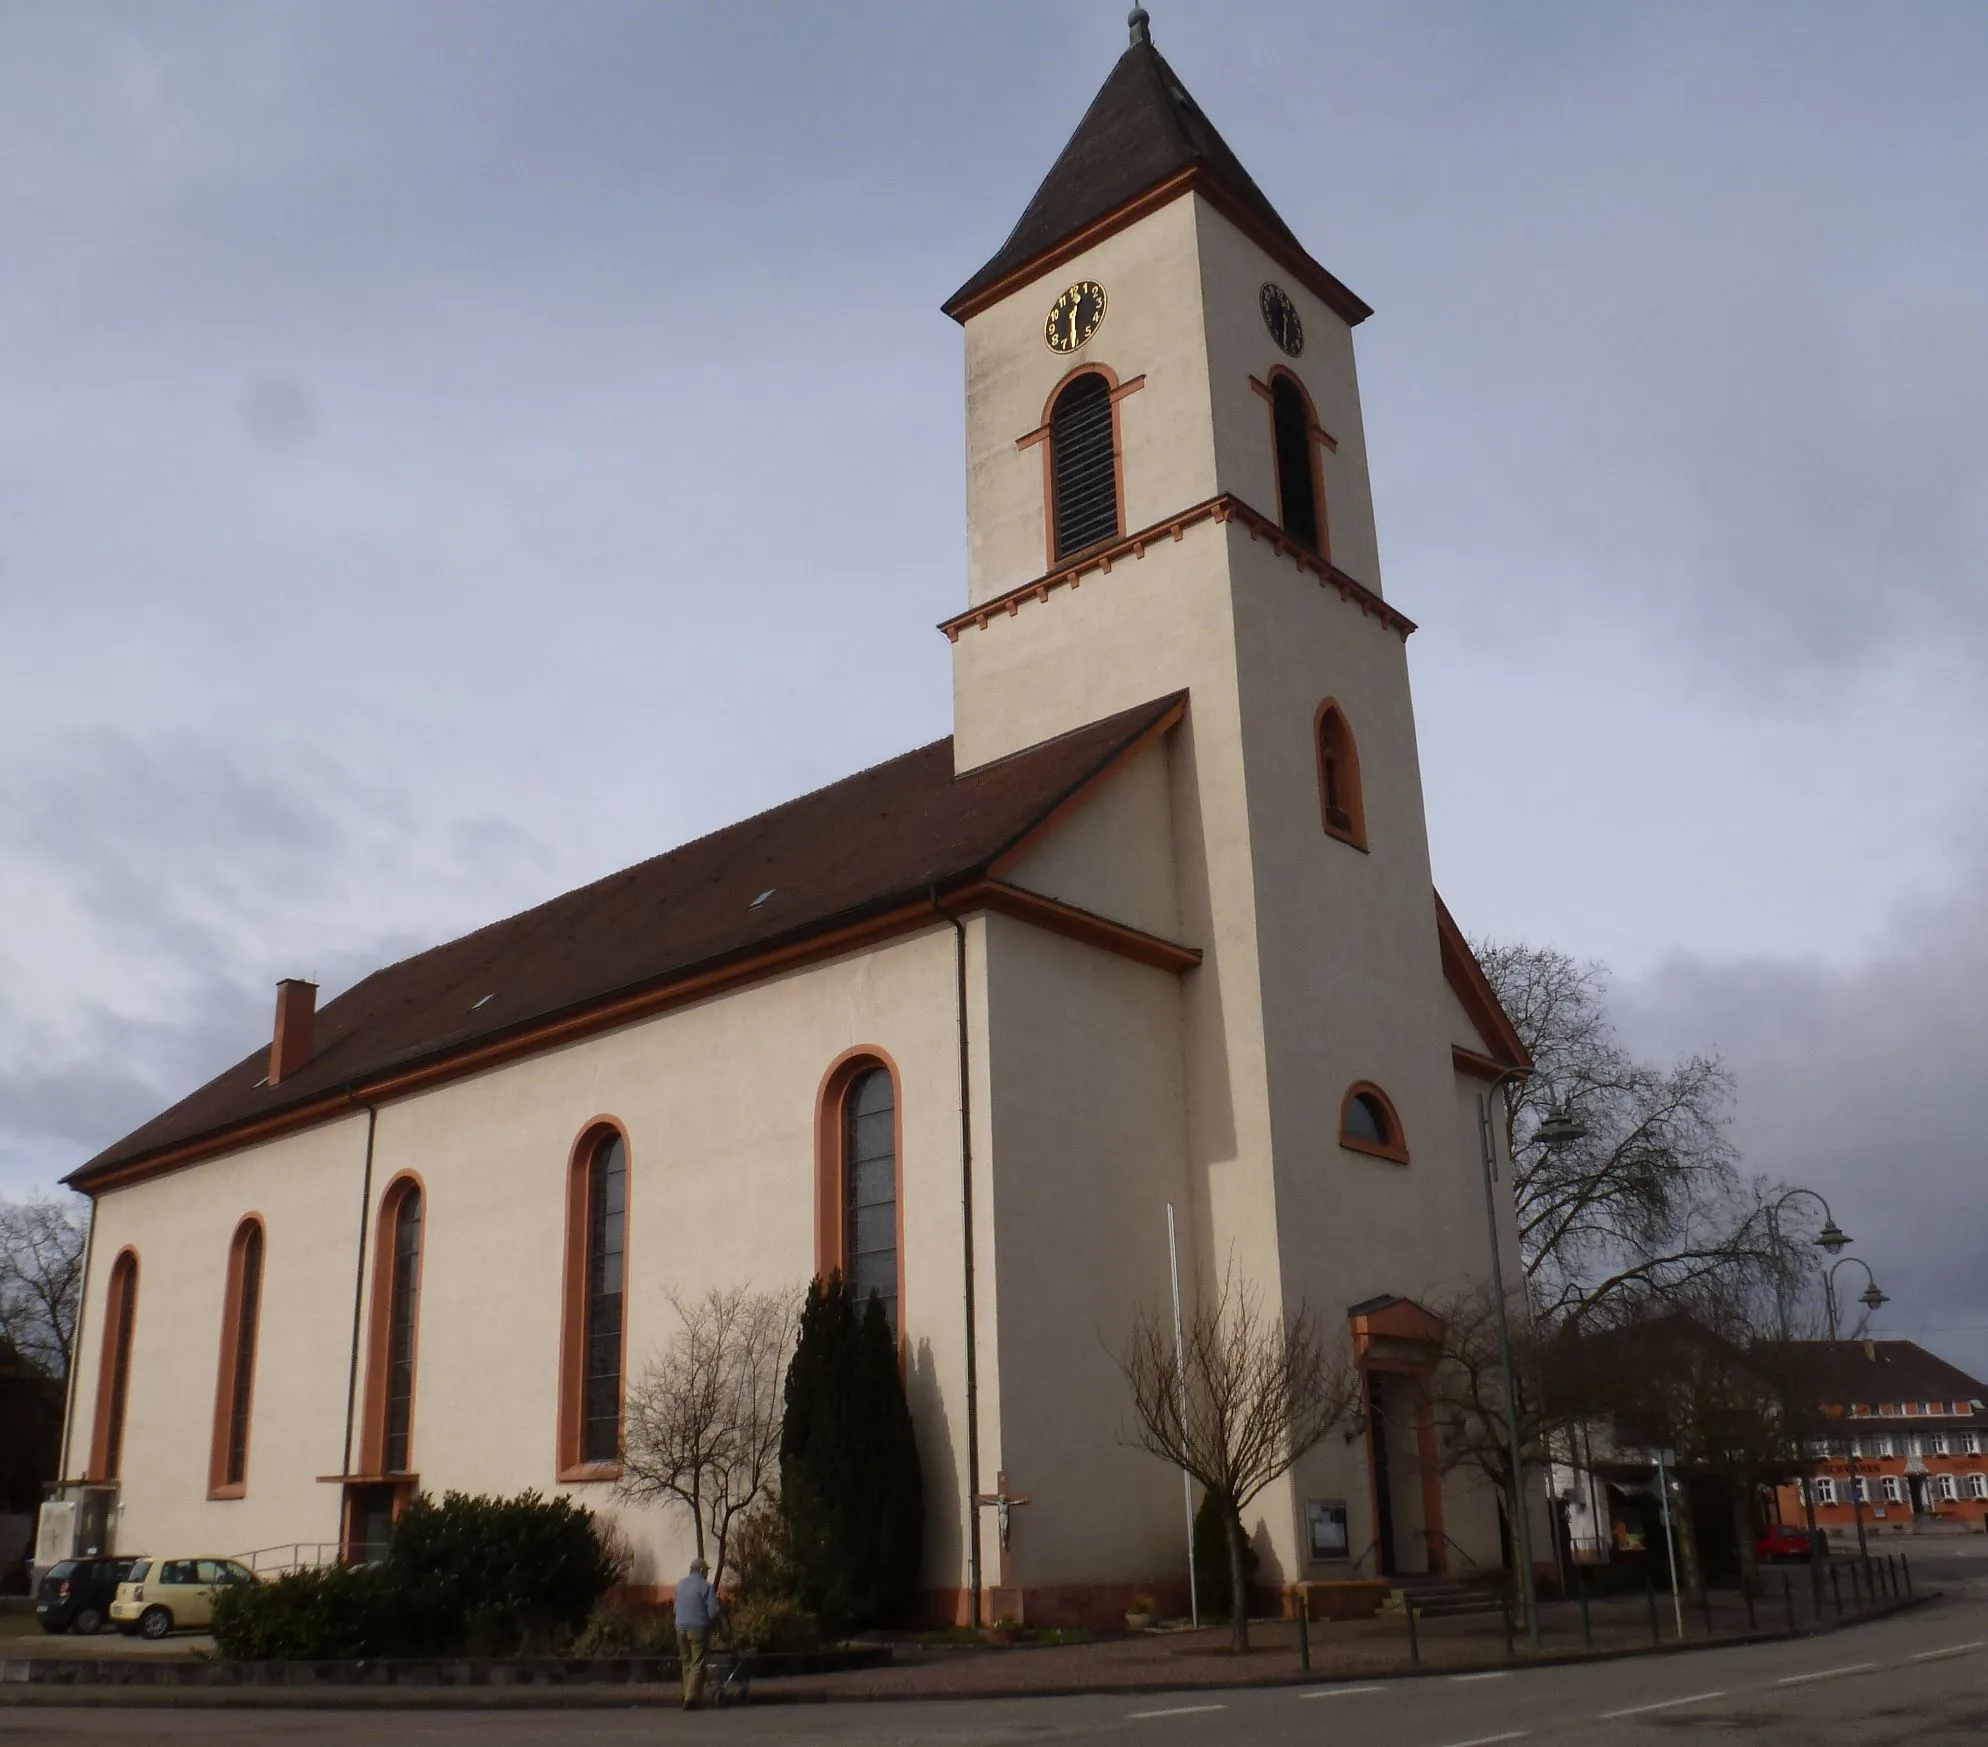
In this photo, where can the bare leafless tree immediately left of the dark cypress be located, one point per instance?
(703, 1426)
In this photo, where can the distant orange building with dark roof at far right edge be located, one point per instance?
(1911, 1452)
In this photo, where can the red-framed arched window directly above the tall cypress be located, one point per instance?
(858, 1182)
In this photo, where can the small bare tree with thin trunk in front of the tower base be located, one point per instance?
(1255, 1396)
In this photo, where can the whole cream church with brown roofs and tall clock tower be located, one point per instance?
(1152, 929)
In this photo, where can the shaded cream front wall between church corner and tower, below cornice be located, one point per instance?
(1088, 1152)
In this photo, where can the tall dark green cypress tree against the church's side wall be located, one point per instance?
(850, 1486)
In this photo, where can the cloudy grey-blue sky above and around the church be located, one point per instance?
(454, 450)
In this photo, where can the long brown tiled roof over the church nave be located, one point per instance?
(826, 862)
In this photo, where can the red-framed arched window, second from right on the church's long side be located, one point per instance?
(595, 1317)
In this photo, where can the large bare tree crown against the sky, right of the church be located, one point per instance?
(1651, 1199)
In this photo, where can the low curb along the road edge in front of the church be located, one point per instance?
(597, 1698)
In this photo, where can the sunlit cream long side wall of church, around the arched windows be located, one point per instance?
(721, 1108)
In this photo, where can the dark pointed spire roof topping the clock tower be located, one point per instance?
(1144, 142)
